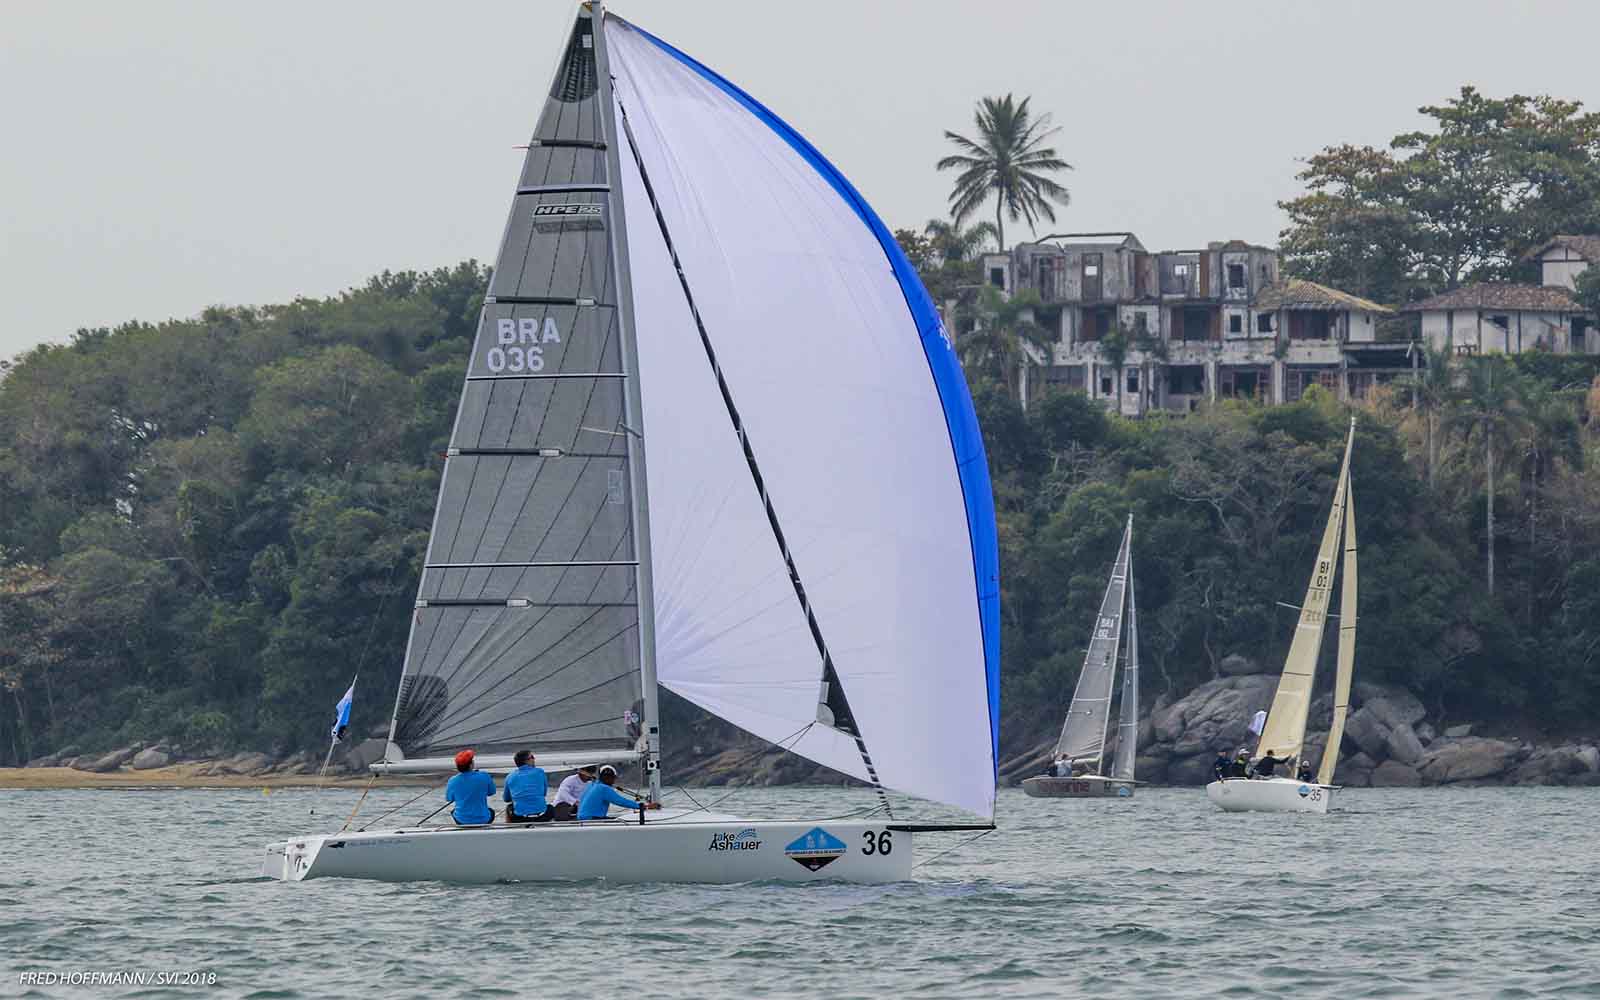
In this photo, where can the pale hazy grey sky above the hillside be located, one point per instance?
(164, 156)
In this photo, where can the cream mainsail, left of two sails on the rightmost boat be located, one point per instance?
(1286, 730)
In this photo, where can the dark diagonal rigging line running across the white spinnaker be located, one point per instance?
(831, 679)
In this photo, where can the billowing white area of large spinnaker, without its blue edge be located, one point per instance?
(826, 367)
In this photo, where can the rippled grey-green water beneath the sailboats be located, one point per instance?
(1404, 894)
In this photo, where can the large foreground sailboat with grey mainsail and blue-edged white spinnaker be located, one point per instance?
(810, 553)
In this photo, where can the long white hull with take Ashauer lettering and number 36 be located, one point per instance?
(708, 850)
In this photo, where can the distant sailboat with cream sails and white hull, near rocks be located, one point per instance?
(1286, 729)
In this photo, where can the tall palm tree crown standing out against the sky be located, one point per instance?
(1010, 162)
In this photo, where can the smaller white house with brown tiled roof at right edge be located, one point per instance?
(1498, 318)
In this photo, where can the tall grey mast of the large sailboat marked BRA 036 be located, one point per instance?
(633, 404)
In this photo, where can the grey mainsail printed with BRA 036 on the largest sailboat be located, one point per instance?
(527, 625)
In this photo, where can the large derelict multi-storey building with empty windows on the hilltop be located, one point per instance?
(1201, 324)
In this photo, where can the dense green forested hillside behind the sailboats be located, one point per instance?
(210, 524)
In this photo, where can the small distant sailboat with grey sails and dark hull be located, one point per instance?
(1086, 729)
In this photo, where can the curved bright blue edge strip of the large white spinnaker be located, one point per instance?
(967, 441)
